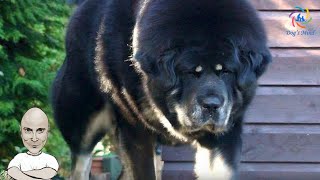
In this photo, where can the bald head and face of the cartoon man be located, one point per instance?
(34, 130)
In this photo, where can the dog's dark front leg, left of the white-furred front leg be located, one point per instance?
(136, 151)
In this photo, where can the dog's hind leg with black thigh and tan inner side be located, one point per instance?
(82, 115)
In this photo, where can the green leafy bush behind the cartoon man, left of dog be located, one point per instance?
(31, 50)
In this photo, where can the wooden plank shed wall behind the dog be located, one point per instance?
(281, 138)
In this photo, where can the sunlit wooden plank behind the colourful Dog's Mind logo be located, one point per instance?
(278, 24)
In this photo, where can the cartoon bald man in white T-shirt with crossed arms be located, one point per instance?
(34, 164)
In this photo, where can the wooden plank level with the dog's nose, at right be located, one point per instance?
(284, 109)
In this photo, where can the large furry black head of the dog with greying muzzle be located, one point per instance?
(202, 72)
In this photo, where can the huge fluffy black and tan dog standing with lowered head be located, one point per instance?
(180, 71)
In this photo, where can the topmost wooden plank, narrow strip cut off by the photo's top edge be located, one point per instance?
(285, 4)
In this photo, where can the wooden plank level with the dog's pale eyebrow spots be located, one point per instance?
(293, 67)
